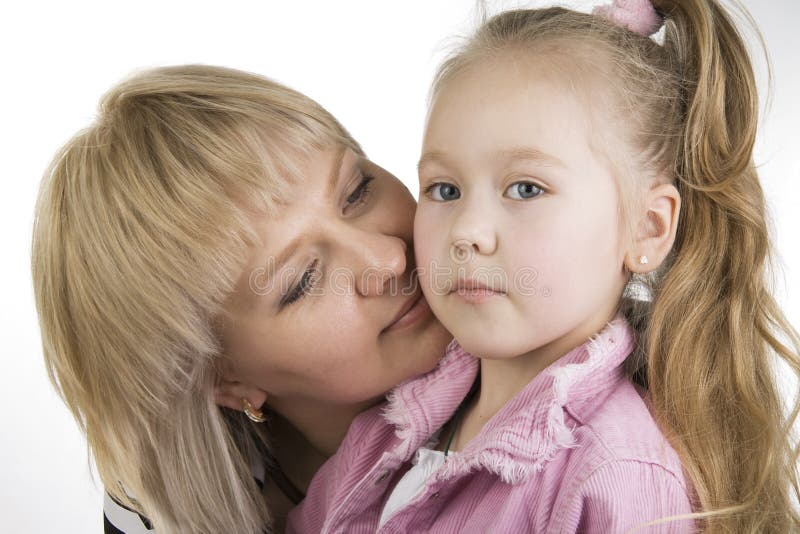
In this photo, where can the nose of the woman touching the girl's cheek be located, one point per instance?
(378, 262)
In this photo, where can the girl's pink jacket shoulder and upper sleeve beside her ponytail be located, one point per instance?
(621, 458)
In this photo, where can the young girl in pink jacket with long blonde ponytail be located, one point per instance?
(592, 228)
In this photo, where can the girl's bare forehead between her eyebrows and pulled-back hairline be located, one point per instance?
(510, 104)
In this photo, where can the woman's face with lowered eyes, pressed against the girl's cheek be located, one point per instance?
(314, 316)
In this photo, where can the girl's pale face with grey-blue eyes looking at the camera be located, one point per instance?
(514, 198)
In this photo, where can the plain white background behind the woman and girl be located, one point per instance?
(368, 62)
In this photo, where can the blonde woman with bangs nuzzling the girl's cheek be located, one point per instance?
(215, 238)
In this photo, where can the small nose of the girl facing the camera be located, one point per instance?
(472, 232)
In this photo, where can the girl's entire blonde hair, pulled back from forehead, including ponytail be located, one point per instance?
(709, 335)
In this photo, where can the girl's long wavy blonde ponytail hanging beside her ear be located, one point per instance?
(714, 325)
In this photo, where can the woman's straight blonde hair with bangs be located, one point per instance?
(142, 228)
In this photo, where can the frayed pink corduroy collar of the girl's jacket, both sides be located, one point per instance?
(531, 427)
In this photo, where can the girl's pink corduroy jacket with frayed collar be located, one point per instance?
(575, 451)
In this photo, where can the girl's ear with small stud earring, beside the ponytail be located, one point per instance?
(656, 229)
